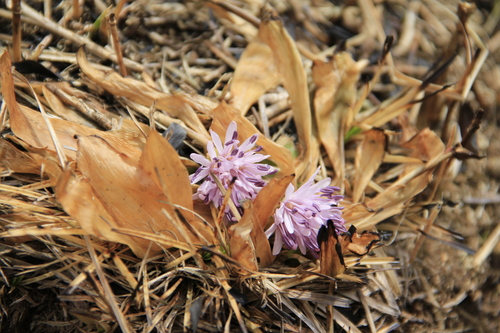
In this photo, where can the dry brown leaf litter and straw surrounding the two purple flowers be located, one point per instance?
(97, 212)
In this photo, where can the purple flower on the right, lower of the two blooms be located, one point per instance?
(303, 212)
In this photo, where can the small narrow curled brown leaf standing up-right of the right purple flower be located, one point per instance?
(369, 156)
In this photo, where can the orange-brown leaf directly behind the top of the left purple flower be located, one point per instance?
(224, 114)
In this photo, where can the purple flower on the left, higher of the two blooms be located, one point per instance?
(228, 162)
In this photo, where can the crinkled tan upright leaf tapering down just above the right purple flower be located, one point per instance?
(333, 104)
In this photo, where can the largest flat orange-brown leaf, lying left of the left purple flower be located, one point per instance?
(126, 191)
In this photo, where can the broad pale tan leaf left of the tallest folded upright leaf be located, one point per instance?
(253, 76)
